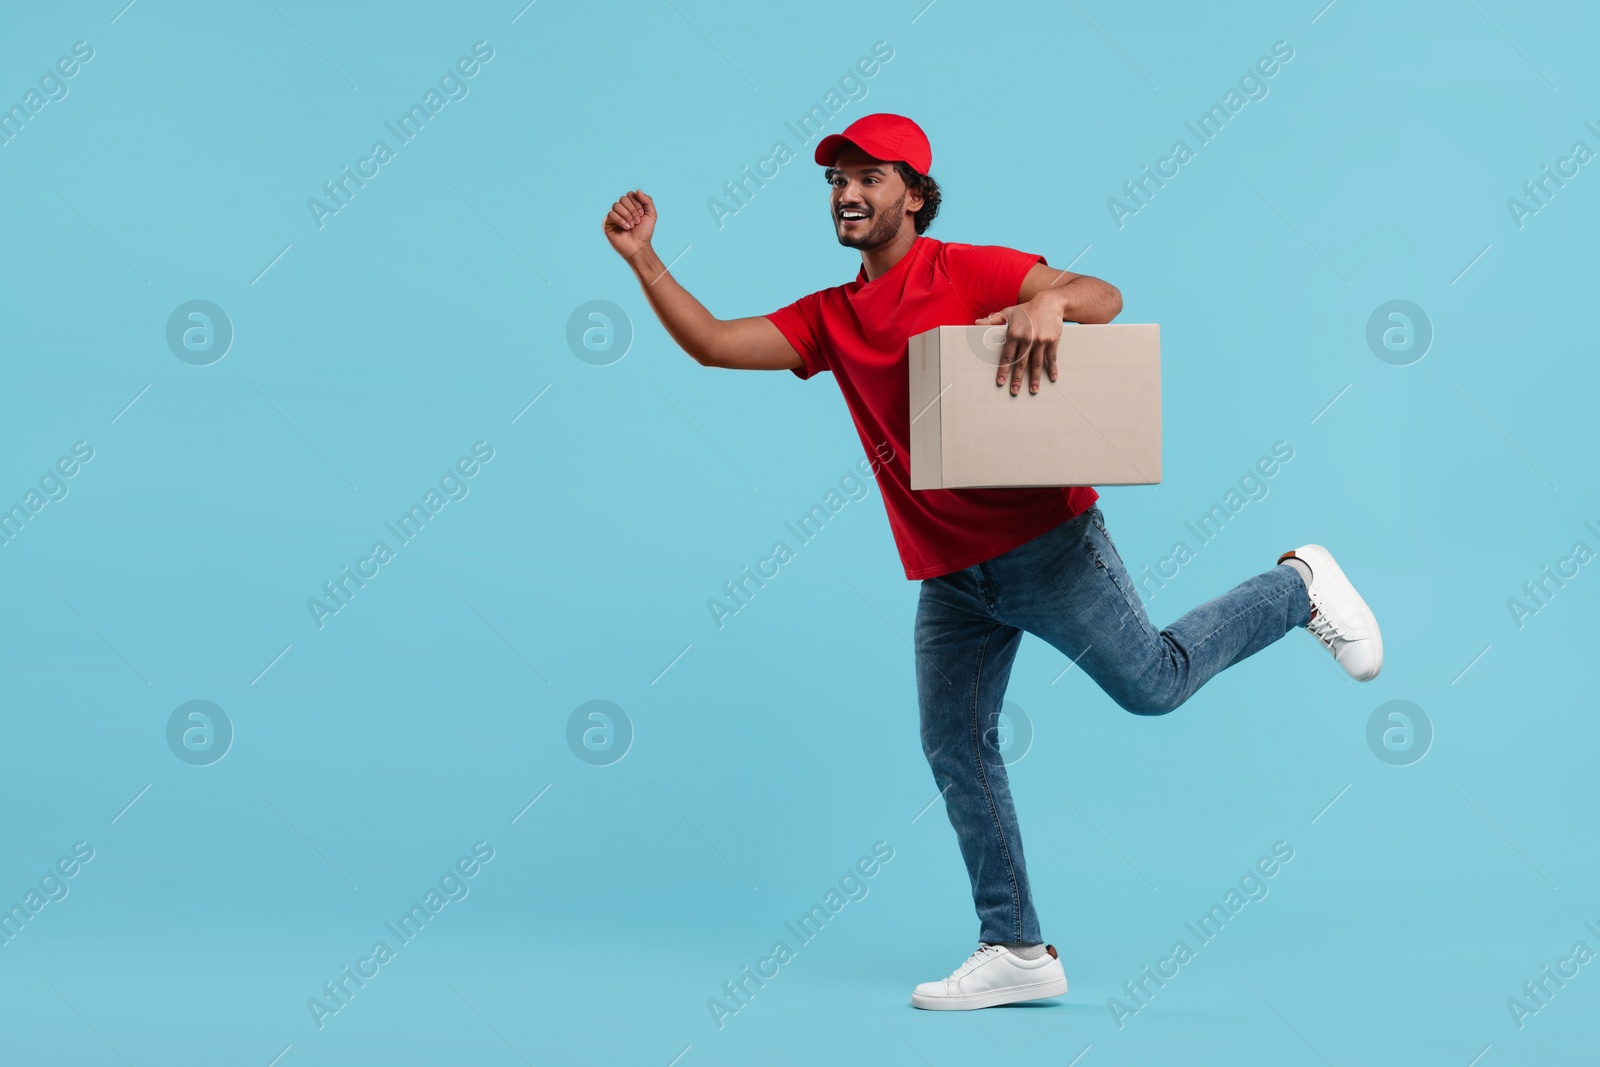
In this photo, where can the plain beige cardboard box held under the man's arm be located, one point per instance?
(1098, 425)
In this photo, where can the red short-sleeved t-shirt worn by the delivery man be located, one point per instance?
(860, 332)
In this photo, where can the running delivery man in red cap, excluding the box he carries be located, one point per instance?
(993, 562)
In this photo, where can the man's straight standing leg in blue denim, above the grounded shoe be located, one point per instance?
(964, 661)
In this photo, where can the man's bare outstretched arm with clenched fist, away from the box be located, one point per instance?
(750, 345)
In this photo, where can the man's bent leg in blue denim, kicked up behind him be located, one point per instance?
(1070, 588)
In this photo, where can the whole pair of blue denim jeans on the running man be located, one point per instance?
(1070, 588)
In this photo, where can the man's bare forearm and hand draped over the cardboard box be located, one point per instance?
(1049, 298)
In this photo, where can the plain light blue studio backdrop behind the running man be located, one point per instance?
(774, 753)
